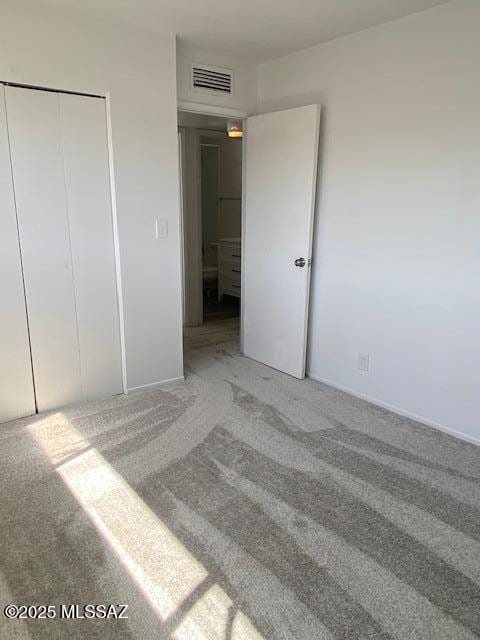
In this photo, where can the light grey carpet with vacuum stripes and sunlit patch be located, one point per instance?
(240, 504)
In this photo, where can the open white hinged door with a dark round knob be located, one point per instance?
(280, 181)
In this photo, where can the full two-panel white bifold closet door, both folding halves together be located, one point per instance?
(59, 157)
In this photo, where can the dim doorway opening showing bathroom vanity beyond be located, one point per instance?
(211, 181)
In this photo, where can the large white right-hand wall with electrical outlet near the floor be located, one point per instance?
(397, 257)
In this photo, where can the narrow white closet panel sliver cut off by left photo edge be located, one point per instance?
(16, 385)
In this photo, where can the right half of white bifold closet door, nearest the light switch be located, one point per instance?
(87, 179)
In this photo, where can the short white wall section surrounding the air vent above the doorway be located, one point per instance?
(245, 79)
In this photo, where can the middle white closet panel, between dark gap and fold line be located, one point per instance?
(37, 163)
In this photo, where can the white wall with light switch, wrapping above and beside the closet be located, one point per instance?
(53, 48)
